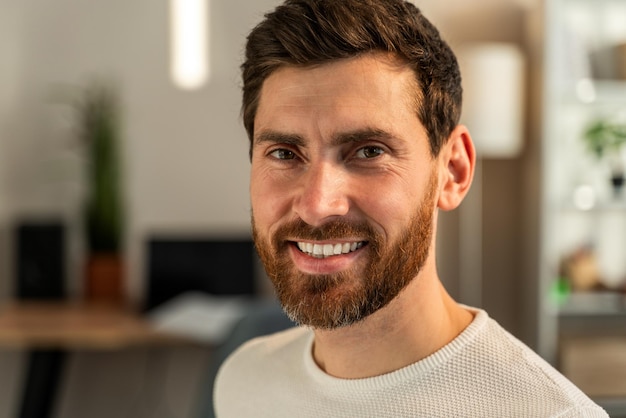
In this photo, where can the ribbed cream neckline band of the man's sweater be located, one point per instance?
(415, 370)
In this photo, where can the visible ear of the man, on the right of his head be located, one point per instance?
(457, 162)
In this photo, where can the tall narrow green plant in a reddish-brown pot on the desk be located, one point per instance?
(99, 121)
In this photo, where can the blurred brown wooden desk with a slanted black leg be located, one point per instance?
(49, 329)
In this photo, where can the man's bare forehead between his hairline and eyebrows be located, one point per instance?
(372, 91)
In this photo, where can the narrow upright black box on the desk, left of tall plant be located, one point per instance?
(40, 260)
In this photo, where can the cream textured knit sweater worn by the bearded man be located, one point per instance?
(484, 372)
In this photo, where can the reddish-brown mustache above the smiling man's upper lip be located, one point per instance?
(337, 229)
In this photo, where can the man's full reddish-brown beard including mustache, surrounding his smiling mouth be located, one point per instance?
(330, 301)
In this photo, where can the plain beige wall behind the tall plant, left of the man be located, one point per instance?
(185, 152)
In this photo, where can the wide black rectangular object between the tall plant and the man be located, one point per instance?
(213, 266)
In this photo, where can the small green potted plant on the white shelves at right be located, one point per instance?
(604, 139)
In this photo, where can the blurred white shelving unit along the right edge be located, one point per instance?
(583, 218)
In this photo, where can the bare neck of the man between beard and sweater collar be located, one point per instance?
(419, 321)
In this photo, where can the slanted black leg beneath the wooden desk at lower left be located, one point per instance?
(42, 381)
